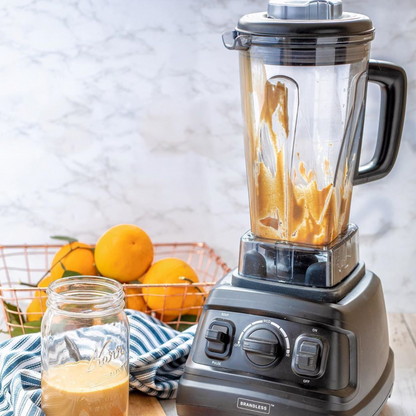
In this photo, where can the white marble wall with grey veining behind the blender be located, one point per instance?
(118, 111)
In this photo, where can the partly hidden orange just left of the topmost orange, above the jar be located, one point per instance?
(75, 257)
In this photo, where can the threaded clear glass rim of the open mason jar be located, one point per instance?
(98, 293)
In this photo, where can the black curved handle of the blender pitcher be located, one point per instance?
(393, 83)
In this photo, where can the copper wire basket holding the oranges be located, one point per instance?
(27, 264)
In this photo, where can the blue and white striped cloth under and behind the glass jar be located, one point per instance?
(157, 358)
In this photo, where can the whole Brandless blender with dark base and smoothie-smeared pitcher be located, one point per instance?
(300, 327)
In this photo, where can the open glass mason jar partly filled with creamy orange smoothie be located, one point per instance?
(85, 348)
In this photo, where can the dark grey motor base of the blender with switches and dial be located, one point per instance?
(356, 365)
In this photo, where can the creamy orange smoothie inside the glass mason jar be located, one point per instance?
(74, 389)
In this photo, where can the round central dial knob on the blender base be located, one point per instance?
(262, 347)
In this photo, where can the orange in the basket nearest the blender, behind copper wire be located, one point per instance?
(171, 300)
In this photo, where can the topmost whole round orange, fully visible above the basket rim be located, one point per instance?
(124, 252)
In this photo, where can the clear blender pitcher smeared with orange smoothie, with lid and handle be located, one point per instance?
(304, 68)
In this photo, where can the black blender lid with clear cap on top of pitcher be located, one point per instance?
(305, 18)
